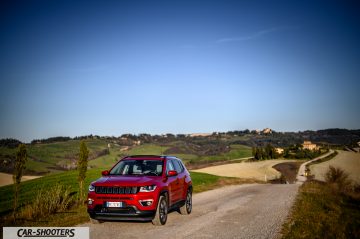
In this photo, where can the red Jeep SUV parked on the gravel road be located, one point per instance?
(141, 188)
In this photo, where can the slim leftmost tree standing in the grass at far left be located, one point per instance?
(20, 161)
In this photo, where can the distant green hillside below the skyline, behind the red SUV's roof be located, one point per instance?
(56, 157)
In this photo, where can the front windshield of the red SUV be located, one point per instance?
(138, 167)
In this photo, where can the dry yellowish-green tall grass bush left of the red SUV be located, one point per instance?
(57, 199)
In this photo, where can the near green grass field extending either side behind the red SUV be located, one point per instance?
(29, 190)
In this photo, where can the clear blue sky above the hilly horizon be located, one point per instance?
(114, 67)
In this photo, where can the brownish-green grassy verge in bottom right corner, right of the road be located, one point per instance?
(322, 212)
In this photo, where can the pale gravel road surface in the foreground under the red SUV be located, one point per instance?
(239, 211)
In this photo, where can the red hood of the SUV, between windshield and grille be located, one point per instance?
(125, 181)
